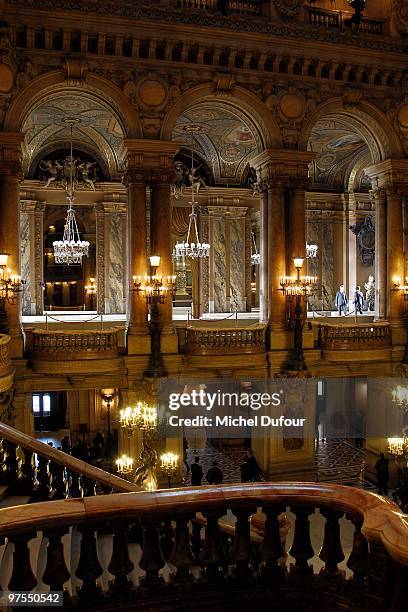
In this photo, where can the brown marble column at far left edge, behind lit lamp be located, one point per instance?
(10, 175)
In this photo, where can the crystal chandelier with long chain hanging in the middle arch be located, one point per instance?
(192, 247)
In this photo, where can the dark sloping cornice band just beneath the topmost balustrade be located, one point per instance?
(146, 11)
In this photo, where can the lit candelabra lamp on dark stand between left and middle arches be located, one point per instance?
(156, 291)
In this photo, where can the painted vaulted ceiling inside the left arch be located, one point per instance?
(97, 132)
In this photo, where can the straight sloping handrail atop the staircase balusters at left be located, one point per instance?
(71, 463)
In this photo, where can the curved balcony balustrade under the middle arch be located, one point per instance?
(224, 341)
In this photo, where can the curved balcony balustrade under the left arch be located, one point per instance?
(55, 345)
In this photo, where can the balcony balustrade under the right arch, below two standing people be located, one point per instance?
(354, 336)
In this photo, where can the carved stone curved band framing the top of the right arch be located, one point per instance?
(367, 119)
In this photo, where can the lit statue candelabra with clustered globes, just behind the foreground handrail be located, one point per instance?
(143, 418)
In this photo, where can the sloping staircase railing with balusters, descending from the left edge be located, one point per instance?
(30, 467)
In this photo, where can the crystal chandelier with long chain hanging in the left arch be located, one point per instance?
(71, 249)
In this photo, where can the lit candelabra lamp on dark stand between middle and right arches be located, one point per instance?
(297, 290)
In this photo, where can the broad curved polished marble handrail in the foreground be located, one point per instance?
(383, 522)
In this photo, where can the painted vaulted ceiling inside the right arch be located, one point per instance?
(339, 147)
